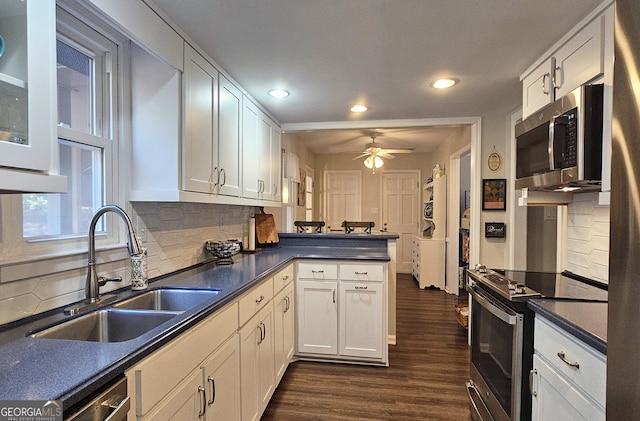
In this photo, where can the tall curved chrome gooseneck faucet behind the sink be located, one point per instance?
(94, 282)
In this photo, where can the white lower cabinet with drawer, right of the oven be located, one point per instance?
(568, 378)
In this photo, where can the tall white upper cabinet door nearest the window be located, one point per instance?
(201, 115)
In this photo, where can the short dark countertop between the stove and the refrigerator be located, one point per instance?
(586, 320)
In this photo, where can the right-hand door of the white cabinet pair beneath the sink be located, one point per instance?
(222, 382)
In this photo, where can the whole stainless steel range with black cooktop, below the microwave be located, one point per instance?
(502, 335)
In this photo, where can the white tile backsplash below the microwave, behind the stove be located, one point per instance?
(588, 237)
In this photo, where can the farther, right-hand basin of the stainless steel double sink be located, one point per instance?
(168, 299)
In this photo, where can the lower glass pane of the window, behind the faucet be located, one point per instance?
(47, 215)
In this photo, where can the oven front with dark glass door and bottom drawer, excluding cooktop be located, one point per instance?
(496, 358)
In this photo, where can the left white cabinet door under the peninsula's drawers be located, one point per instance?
(317, 317)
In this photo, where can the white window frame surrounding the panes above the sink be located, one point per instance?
(80, 27)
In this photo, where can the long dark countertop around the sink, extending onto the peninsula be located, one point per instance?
(69, 371)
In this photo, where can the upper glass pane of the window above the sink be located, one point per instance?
(76, 106)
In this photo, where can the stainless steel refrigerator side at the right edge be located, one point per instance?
(623, 335)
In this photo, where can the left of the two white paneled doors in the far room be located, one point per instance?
(343, 200)
